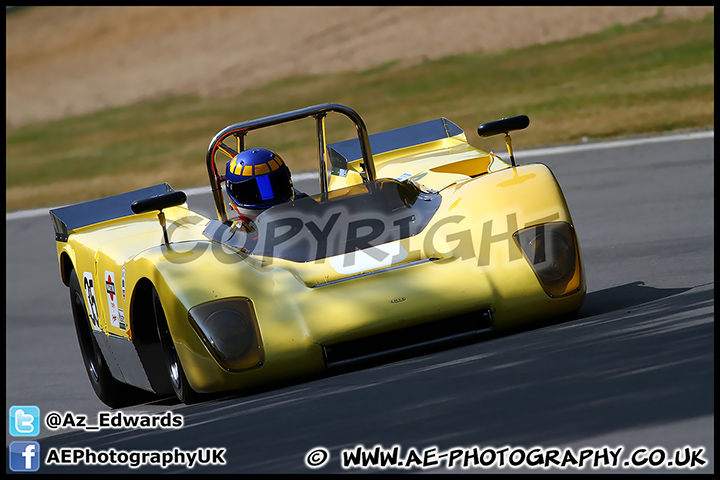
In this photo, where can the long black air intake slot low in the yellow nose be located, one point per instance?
(415, 339)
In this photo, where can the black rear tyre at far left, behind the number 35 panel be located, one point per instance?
(109, 390)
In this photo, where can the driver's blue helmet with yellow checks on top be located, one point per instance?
(258, 178)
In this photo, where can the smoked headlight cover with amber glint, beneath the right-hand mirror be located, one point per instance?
(551, 250)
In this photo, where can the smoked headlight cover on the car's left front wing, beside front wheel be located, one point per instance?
(229, 329)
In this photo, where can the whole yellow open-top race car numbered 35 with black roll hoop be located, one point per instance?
(416, 238)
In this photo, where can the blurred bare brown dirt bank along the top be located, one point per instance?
(72, 60)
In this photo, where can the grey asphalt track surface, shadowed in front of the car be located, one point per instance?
(633, 368)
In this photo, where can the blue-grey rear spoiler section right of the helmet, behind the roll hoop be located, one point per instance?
(341, 153)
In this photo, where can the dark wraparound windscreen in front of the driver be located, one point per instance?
(341, 221)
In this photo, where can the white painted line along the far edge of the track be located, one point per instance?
(538, 152)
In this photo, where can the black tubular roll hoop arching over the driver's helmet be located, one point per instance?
(239, 130)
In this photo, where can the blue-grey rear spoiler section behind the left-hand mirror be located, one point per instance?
(70, 218)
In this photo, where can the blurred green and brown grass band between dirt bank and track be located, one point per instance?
(647, 78)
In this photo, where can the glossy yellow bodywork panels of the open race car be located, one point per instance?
(476, 265)
